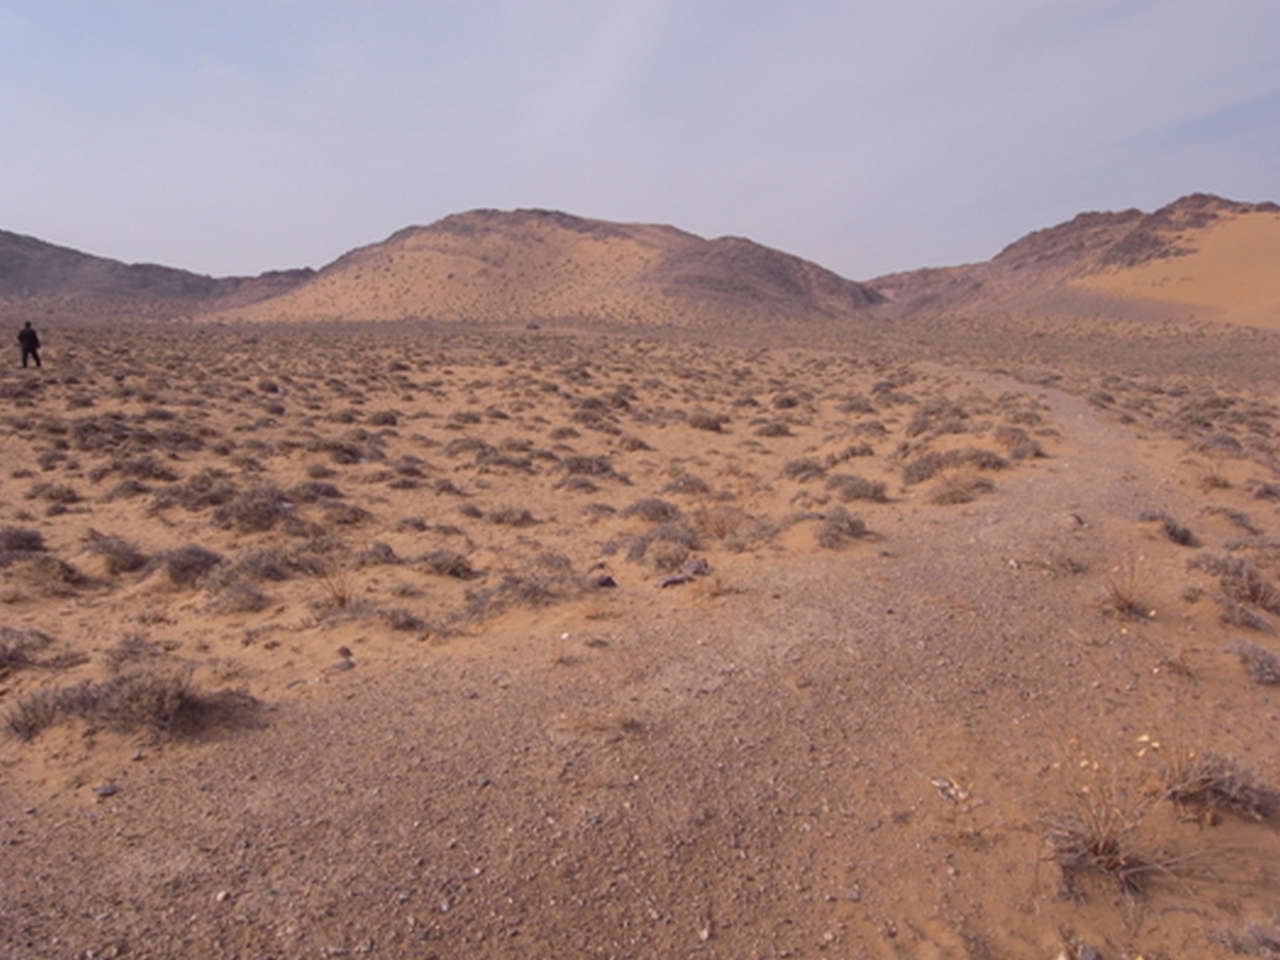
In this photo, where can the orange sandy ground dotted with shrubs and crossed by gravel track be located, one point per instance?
(939, 659)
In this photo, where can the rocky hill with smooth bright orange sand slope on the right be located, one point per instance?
(1201, 252)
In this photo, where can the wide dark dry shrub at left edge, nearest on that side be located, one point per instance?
(163, 702)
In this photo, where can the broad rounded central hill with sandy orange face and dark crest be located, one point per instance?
(529, 266)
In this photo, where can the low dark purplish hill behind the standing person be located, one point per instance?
(38, 278)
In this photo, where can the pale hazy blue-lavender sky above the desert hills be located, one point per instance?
(236, 138)
